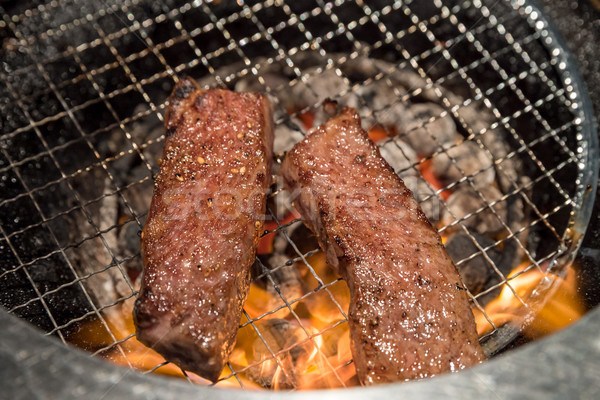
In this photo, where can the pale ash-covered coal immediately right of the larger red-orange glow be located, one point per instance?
(469, 158)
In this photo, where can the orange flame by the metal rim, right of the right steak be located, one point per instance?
(561, 309)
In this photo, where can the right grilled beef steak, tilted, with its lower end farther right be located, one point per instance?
(409, 315)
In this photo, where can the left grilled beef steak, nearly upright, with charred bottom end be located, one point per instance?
(203, 226)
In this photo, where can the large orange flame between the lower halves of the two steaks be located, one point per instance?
(310, 348)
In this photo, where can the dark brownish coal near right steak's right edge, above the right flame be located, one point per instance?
(476, 272)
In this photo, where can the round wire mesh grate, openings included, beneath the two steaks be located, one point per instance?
(82, 110)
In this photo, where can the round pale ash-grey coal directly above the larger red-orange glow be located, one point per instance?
(426, 137)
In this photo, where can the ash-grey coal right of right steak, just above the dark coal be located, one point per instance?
(464, 202)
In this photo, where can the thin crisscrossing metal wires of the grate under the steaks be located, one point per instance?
(492, 18)
